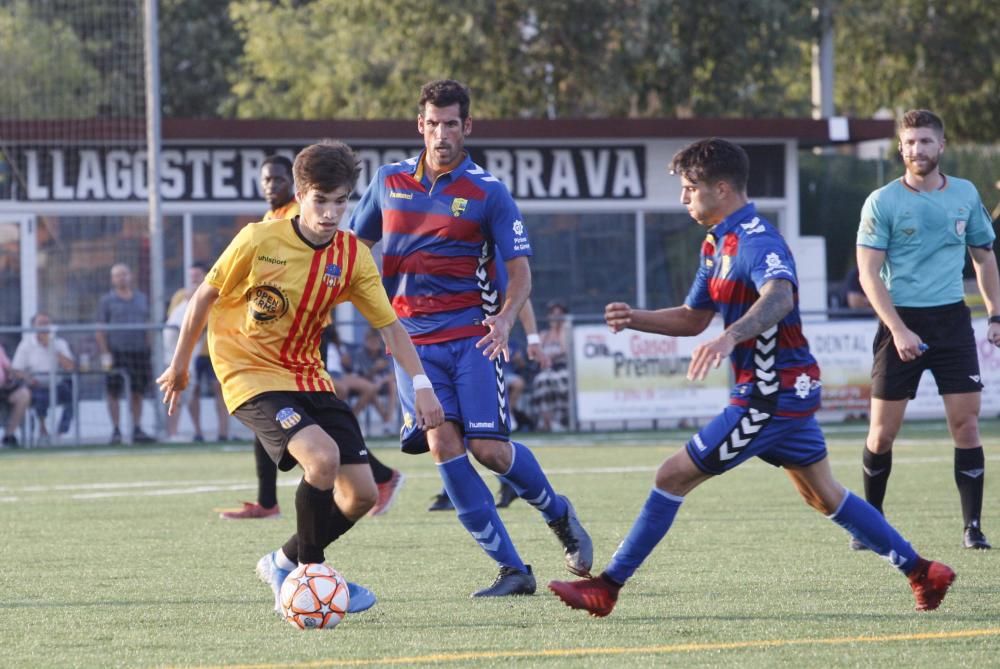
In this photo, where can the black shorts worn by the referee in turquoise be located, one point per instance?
(951, 354)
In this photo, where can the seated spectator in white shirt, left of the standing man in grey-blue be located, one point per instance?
(33, 361)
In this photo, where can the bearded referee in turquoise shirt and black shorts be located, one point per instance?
(911, 246)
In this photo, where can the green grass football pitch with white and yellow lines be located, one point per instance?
(115, 558)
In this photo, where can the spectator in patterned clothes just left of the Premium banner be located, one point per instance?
(550, 389)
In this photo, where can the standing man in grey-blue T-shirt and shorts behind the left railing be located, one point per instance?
(126, 350)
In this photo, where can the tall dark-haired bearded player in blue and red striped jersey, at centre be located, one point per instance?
(443, 222)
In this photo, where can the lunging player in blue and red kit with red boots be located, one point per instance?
(747, 274)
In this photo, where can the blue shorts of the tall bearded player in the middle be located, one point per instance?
(470, 387)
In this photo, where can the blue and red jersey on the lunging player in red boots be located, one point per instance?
(738, 257)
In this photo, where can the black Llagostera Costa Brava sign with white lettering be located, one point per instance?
(230, 173)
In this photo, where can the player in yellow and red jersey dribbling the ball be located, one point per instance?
(265, 303)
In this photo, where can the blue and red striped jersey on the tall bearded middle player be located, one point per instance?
(441, 241)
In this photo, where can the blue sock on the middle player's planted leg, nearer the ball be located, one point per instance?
(477, 511)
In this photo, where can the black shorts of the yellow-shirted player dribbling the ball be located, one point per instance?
(275, 417)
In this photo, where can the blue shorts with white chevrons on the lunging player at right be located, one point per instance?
(739, 433)
